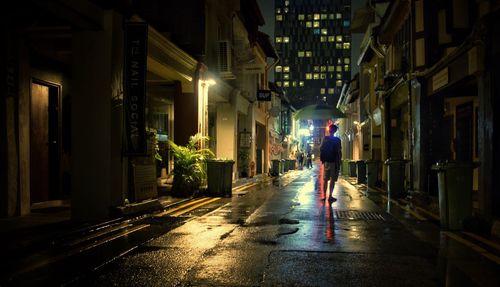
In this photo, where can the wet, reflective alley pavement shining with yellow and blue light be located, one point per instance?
(279, 233)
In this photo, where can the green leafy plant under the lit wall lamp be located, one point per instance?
(189, 165)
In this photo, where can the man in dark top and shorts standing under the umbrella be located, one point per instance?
(330, 155)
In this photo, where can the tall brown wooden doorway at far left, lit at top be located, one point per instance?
(44, 142)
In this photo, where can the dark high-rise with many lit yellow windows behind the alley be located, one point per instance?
(314, 44)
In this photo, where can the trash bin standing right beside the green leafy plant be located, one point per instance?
(220, 177)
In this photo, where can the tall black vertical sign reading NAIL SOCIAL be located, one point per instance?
(136, 39)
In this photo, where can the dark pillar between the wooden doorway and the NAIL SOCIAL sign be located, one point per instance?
(96, 137)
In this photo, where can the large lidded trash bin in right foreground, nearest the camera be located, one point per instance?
(455, 193)
